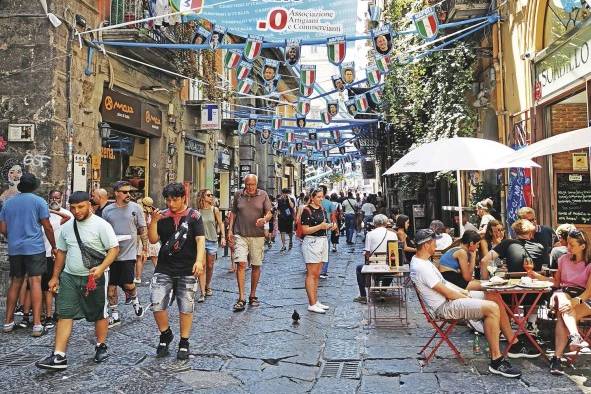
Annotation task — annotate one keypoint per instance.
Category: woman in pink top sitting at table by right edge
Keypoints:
(574, 299)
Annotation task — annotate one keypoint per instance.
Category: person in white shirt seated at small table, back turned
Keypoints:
(376, 242)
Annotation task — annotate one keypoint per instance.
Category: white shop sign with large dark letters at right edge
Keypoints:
(564, 65)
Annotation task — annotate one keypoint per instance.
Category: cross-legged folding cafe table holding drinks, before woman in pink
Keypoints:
(518, 295)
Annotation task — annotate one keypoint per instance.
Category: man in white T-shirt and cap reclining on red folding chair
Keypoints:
(447, 301)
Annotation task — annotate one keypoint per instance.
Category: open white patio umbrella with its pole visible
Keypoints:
(458, 154)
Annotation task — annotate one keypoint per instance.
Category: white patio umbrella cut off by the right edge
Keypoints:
(572, 140)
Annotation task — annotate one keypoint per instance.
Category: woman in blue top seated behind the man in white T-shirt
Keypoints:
(457, 264)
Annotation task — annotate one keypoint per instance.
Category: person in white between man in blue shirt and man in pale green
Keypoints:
(57, 217)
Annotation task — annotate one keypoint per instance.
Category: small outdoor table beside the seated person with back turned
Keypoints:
(398, 274)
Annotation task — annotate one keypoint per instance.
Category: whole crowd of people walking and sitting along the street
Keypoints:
(78, 259)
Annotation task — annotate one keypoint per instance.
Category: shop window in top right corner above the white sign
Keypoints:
(559, 22)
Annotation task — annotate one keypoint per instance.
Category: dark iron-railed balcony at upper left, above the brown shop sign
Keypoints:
(119, 11)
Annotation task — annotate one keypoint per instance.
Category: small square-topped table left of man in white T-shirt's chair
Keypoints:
(375, 273)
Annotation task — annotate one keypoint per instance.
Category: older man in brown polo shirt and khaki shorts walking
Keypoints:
(251, 209)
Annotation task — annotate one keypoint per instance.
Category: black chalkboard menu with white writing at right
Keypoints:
(573, 198)
